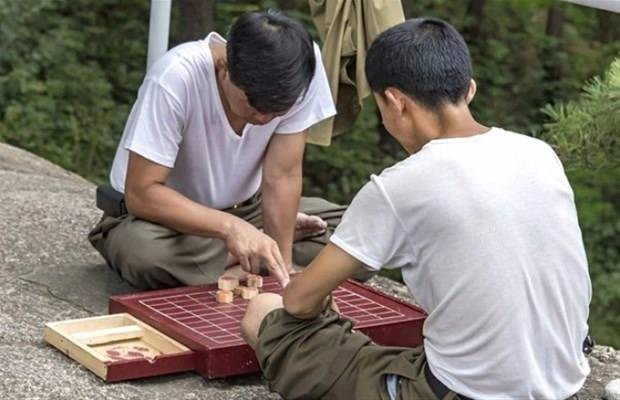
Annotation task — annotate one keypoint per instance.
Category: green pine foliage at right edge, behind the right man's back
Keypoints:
(586, 135)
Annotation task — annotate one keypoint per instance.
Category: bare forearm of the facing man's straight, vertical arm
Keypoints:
(280, 204)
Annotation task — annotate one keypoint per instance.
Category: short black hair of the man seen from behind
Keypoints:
(425, 58)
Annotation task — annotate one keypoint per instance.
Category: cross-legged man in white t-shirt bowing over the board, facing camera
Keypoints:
(210, 162)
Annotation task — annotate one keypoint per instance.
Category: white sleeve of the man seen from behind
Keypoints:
(371, 230)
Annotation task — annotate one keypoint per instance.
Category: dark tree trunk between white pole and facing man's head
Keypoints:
(196, 19)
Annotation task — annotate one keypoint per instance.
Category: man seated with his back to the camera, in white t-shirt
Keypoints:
(482, 222)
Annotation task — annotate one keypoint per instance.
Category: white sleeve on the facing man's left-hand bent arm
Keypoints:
(156, 124)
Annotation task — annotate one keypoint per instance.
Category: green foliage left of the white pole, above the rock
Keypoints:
(69, 70)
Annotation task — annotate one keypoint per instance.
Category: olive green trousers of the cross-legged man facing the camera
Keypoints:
(150, 256)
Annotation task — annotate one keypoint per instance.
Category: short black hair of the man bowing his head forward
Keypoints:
(271, 58)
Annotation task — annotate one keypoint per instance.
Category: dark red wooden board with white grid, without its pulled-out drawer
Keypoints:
(193, 317)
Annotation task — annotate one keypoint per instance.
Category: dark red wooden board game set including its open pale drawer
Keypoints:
(183, 329)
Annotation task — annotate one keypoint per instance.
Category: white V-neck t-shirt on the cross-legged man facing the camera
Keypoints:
(178, 121)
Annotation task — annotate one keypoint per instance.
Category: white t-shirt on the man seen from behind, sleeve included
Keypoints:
(486, 232)
